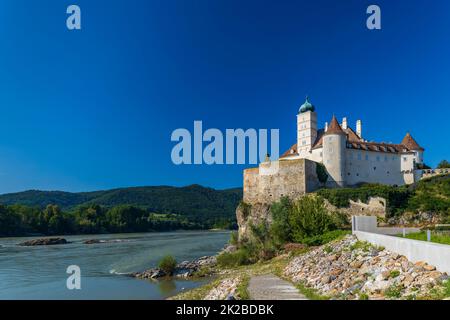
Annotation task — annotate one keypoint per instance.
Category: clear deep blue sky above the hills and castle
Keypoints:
(94, 109)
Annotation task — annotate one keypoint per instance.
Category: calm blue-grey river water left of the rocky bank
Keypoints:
(39, 272)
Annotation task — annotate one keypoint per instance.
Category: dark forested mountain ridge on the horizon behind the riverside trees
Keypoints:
(192, 201)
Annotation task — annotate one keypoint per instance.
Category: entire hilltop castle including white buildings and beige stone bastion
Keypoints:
(347, 157)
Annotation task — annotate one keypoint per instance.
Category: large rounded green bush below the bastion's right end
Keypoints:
(309, 218)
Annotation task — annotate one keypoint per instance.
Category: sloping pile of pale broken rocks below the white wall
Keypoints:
(350, 269)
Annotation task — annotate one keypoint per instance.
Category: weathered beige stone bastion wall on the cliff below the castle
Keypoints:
(276, 179)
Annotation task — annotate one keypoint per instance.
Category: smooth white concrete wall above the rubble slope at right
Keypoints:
(434, 254)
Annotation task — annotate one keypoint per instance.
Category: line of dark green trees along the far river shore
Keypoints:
(20, 220)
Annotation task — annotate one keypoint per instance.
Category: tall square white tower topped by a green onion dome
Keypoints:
(306, 128)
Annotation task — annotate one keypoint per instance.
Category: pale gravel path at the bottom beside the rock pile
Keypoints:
(271, 287)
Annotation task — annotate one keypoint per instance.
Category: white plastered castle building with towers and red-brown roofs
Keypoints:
(348, 158)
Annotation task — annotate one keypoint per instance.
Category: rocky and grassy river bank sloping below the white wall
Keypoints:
(345, 269)
